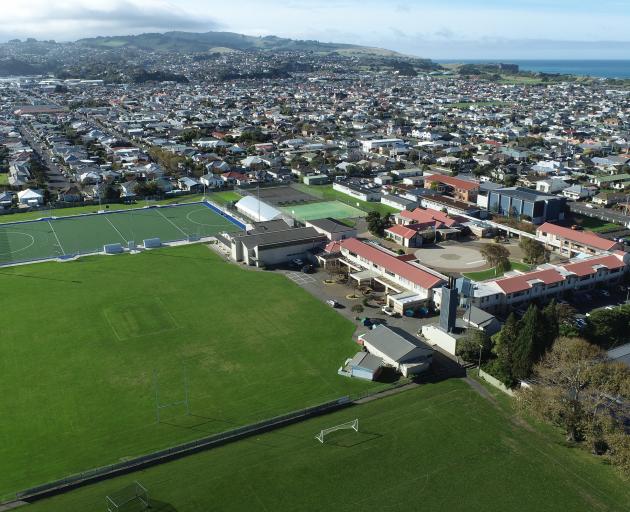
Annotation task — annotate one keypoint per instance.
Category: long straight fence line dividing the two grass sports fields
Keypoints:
(206, 443)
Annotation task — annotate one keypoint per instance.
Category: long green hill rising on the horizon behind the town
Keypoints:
(202, 42)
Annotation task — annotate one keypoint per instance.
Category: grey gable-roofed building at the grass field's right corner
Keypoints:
(398, 350)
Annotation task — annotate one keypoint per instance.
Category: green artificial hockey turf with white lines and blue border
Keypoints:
(84, 234)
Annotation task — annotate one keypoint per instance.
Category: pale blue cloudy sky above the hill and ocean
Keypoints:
(437, 29)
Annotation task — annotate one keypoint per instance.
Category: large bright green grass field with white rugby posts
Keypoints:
(80, 341)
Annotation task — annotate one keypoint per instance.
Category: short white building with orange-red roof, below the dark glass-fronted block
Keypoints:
(570, 242)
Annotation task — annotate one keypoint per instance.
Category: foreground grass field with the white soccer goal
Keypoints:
(440, 447)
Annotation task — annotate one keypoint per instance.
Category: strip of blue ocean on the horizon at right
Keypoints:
(596, 68)
